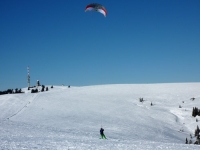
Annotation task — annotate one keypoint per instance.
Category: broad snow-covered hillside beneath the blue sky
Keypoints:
(70, 118)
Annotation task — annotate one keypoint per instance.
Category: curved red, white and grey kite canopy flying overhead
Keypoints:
(96, 7)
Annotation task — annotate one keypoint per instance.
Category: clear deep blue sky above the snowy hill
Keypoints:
(140, 41)
